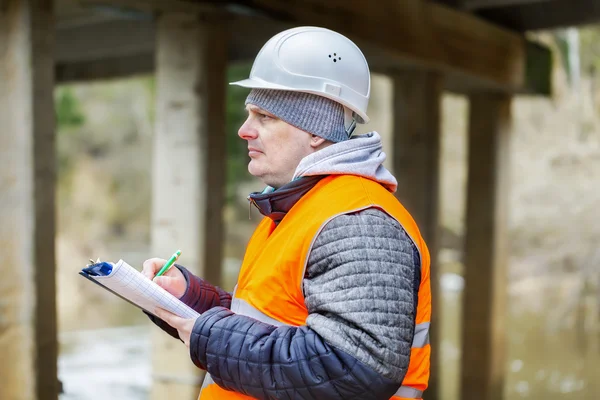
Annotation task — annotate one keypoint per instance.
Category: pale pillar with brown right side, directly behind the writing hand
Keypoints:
(188, 169)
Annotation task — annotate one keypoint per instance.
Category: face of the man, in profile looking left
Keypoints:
(274, 146)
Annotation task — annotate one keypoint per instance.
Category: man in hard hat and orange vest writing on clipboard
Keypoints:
(332, 299)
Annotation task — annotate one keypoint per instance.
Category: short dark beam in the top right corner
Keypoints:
(549, 15)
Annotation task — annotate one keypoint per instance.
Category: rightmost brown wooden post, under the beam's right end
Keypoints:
(483, 338)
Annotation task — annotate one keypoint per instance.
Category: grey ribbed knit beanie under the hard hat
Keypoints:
(311, 113)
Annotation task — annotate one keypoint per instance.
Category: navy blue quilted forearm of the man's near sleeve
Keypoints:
(268, 362)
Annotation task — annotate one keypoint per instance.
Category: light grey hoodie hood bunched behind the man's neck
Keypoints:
(361, 155)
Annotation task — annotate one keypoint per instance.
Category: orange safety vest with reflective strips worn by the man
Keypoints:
(269, 286)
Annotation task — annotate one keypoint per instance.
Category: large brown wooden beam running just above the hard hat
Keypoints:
(473, 54)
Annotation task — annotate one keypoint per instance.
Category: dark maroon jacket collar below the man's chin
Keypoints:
(275, 203)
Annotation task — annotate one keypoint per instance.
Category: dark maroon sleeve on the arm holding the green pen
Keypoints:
(199, 295)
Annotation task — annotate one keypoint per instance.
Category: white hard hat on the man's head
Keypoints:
(314, 60)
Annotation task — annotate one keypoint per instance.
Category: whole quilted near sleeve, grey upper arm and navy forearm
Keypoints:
(361, 273)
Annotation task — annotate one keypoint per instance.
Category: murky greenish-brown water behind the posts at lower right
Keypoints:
(550, 355)
